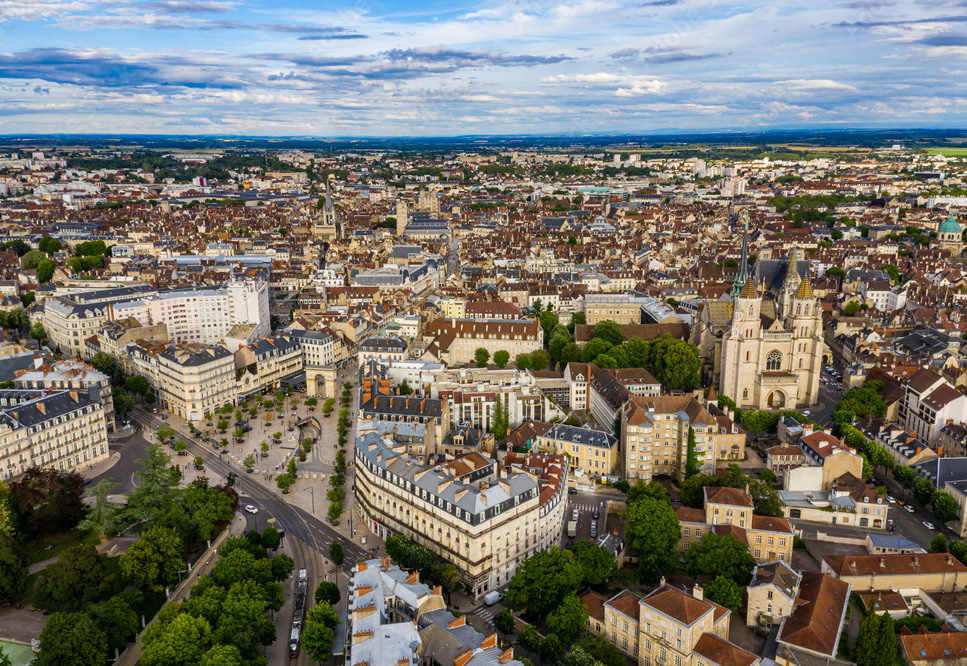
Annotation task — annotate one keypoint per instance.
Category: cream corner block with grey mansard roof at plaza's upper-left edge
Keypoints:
(196, 380)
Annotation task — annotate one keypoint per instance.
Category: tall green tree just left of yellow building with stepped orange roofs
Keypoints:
(653, 530)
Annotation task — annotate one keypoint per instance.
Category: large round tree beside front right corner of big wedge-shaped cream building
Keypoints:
(543, 580)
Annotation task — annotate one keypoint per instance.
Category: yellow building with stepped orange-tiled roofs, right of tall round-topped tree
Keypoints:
(730, 511)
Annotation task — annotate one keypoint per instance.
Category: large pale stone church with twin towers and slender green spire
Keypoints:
(762, 345)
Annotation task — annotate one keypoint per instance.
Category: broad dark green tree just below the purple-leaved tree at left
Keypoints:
(75, 581)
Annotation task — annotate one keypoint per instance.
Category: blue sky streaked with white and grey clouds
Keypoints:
(404, 69)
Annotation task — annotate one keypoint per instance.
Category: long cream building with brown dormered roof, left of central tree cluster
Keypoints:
(455, 341)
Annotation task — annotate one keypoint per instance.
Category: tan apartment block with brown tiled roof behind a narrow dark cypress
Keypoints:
(654, 436)
